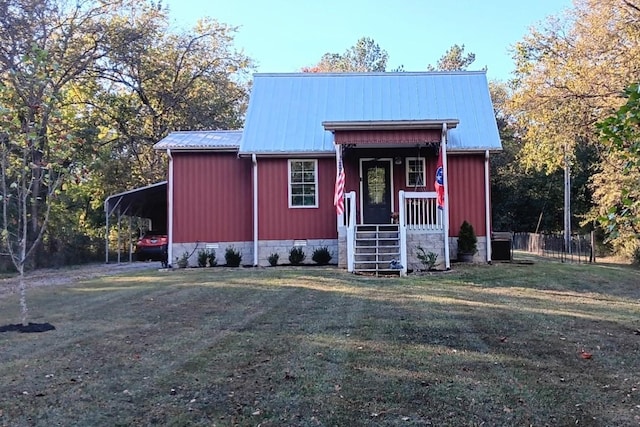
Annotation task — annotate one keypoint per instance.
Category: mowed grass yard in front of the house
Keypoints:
(500, 345)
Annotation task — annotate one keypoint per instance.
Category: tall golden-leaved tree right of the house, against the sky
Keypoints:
(569, 75)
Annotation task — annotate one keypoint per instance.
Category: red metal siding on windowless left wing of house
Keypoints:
(212, 198)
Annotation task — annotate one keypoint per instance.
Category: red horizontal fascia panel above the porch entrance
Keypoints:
(409, 136)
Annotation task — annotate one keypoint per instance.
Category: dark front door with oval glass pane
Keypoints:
(376, 192)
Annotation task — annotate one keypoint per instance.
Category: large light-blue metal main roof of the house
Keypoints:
(286, 111)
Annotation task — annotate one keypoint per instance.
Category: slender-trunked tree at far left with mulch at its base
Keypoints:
(44, 46)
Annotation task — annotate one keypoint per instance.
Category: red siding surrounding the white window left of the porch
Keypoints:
(279, 222)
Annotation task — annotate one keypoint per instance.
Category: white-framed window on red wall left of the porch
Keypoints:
(303, 183)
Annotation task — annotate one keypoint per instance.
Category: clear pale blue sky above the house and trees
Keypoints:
(286, 35)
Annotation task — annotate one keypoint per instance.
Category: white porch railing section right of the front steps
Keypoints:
(419, 211)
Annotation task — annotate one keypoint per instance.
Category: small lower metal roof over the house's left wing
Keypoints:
(221, 140)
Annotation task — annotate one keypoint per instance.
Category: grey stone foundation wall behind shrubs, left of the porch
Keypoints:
(265, 249)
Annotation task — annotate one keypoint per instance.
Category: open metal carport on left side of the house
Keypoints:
(149, 203)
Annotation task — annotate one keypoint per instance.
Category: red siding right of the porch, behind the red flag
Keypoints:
(466, 192)
